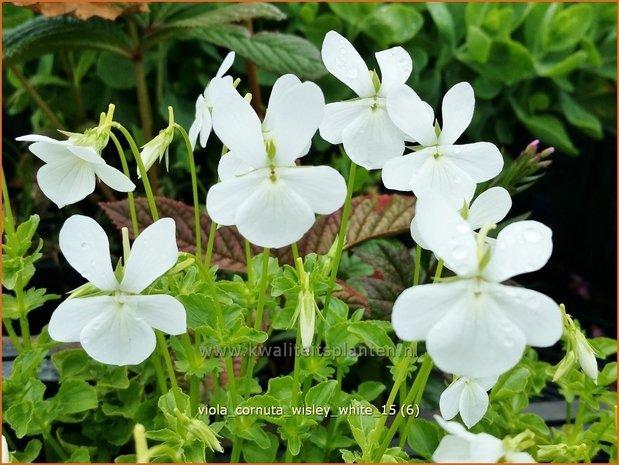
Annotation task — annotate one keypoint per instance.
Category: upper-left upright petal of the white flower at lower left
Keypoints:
(86, 247)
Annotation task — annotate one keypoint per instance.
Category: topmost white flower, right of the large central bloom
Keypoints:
(369, 136)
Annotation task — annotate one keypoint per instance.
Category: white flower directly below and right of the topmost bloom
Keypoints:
(439, 165)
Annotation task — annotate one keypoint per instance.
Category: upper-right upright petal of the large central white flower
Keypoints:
(293, 118)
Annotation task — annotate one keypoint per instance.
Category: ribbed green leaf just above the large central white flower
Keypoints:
(272, 51)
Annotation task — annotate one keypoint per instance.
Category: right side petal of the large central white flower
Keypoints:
(322, 187)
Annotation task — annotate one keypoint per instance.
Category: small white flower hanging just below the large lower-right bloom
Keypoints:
(468, 397)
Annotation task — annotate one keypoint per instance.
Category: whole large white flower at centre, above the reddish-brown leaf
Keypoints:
(270, 199)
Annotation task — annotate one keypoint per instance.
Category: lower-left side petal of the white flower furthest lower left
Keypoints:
(72, 315)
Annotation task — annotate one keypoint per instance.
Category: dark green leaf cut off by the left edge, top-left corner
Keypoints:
(47, 35)
